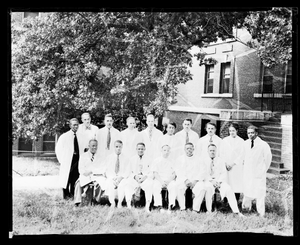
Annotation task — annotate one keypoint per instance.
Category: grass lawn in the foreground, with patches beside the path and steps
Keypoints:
(45, 212)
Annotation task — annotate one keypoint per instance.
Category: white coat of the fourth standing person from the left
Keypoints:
(130, 138)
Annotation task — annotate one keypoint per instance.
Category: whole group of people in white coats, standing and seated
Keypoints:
(123, 163)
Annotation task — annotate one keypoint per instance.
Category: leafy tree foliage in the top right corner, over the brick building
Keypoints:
(272, 35)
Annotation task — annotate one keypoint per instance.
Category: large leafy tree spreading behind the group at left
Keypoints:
(123, 63)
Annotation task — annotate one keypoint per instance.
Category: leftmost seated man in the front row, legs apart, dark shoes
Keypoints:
(86, 167)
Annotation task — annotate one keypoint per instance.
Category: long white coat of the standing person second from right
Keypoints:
(232, 152)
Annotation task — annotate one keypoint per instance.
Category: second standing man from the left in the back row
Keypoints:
(87, 131)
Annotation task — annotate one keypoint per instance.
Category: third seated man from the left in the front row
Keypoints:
(140, 177)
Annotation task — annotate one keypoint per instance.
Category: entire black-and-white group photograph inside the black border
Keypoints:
(153, 121)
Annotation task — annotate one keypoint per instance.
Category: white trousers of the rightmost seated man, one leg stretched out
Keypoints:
(225, 191)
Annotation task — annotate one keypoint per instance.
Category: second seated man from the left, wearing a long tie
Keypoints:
(117, 171)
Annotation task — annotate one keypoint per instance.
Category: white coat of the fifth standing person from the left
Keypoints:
(152, 150)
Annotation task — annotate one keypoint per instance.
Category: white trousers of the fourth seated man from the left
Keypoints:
(157, 188)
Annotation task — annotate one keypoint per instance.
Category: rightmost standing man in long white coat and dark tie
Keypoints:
(257, 161)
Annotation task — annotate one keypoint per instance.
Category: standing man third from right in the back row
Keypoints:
(208, 139)
